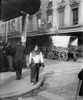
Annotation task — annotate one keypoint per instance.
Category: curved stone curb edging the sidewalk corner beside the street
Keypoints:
(22, 92)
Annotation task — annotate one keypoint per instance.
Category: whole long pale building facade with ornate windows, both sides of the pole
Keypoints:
(55, 17)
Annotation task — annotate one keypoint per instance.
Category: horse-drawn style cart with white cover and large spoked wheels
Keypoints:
(63, 48)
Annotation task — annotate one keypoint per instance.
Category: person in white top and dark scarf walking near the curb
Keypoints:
(35, 61)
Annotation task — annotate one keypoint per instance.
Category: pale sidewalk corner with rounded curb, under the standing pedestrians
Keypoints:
(17, 87)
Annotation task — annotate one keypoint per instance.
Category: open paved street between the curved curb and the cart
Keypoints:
(60, 82)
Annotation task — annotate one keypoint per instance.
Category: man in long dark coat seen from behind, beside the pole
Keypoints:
(18, 60)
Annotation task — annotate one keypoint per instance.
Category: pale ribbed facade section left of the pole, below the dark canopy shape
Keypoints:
(11, 26)
